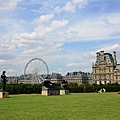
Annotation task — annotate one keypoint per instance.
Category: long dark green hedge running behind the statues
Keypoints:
(73, 87)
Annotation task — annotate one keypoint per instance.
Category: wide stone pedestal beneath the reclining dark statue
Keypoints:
(49, 92)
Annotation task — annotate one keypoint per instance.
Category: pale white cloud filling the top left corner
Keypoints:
(8, 5)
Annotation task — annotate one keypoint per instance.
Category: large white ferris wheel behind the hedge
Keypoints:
(36, 70)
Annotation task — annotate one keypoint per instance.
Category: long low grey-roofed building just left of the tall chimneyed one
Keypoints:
(78, 77)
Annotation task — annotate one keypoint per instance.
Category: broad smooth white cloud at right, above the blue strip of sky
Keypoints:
(93, 29)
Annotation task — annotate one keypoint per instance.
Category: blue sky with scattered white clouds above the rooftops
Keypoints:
(66, 34)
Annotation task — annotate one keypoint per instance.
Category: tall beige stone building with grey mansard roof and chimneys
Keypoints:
(106, 70)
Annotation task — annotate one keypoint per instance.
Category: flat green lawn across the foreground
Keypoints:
(77, 106)
